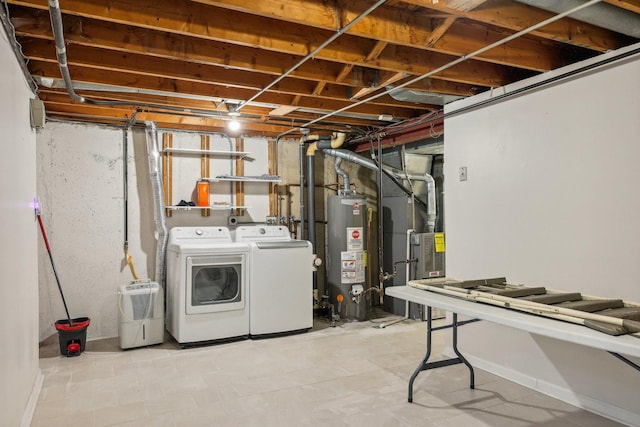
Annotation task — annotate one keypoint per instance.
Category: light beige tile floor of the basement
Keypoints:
(352, 375)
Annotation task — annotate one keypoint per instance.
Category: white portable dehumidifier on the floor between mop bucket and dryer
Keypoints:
(141, 309)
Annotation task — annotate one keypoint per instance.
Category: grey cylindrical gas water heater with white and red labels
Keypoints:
(346, 260)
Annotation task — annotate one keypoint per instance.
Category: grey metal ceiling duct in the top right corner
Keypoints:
(602, 14)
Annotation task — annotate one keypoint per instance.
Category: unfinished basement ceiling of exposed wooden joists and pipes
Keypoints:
(286, 64)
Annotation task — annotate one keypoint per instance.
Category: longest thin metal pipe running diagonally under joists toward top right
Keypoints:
(457, 61)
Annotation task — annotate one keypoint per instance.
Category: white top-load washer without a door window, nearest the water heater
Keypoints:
(281, 271)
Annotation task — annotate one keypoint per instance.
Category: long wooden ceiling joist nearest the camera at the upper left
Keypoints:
(207, 23)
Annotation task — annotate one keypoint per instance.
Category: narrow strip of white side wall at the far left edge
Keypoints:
(18, 244)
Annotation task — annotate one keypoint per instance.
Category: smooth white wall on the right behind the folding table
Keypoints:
(551, 199)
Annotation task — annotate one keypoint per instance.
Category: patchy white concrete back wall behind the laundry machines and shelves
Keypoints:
(80, 184)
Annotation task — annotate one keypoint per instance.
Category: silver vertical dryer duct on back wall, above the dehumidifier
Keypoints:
(158, 208)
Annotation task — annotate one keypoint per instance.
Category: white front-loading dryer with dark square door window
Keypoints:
(207, 291)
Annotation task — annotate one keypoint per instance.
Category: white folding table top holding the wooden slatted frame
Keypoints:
(625, 344)
